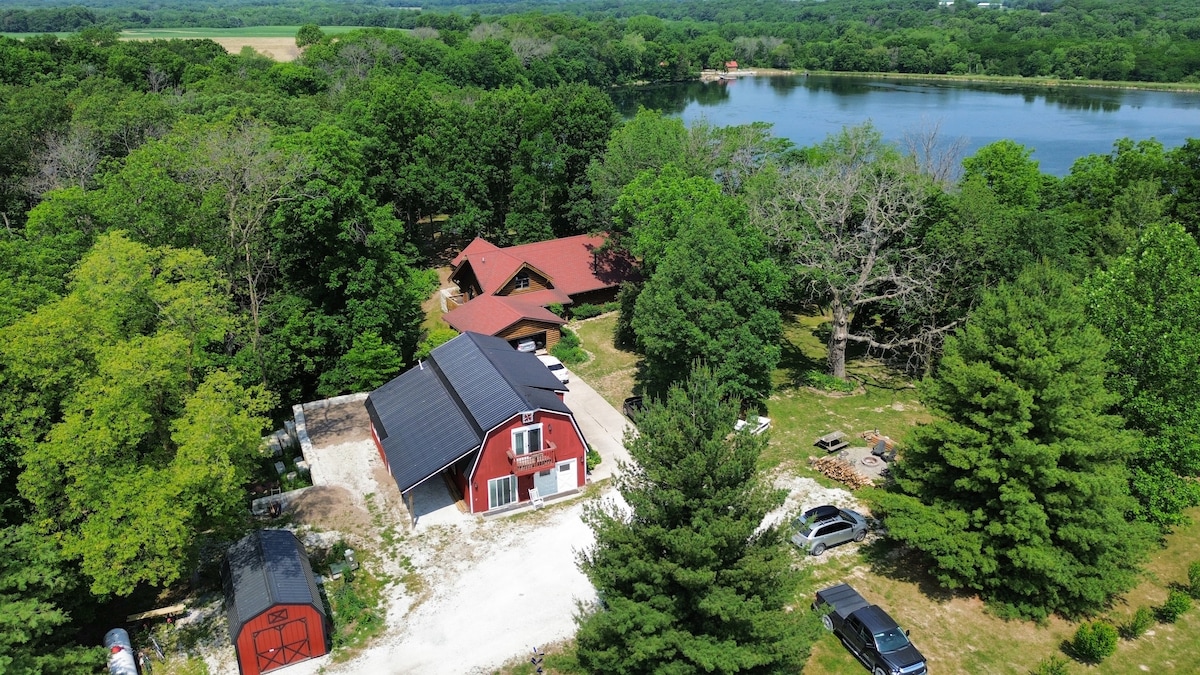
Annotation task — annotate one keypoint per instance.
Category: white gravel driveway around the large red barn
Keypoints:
(490, 589)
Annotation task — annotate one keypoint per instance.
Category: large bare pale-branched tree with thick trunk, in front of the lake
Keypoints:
(845, 225)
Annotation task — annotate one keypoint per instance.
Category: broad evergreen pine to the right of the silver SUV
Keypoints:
(1019, 488)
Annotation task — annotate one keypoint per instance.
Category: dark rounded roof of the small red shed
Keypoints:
(263, 570)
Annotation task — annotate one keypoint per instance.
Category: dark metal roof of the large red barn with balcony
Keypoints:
(440, 411)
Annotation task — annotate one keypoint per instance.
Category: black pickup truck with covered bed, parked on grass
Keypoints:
(869, 634)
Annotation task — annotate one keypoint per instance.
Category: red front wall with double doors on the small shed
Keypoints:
(281, 636)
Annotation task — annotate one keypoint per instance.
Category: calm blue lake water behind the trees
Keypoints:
(1060, 124)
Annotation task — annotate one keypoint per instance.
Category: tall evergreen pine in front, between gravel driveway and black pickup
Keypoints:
(689, 580)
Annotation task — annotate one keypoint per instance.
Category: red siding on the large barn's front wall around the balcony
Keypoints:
(494, 463)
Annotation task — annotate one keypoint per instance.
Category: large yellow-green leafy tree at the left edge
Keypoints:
(133, 441)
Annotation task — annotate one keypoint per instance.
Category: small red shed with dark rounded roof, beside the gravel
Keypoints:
(274, 607)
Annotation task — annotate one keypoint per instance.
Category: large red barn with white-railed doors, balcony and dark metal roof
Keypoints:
(490, 419)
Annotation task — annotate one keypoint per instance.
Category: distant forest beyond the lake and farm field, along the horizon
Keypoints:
(650, 40)
